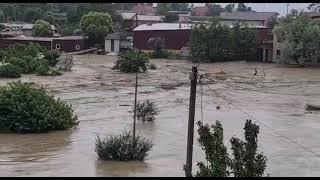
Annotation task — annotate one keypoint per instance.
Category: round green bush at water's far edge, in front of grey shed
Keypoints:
(132, 61)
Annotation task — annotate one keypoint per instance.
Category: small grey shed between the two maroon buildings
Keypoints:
(118, 41)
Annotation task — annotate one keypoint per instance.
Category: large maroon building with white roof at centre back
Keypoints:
(175, 35)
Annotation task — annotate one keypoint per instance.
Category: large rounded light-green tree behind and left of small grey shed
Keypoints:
(96, 25)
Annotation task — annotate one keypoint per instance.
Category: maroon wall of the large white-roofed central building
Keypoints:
(174, 39)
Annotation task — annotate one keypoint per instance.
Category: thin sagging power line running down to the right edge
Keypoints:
(290, 140)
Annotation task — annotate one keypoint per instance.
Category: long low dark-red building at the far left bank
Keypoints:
(65, 44)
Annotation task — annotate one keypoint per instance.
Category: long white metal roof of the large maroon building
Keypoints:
(162, 26)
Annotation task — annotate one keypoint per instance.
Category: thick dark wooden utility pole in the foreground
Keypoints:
(193, 90)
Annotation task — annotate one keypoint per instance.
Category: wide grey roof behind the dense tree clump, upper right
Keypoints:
(258, 16)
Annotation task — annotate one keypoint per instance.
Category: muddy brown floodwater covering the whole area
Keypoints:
(103, 98)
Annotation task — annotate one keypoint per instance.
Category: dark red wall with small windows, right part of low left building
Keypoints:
(70, 45)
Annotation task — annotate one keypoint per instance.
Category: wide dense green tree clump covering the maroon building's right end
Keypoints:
(218, 42)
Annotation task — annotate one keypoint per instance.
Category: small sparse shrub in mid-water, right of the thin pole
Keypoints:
(147, 111)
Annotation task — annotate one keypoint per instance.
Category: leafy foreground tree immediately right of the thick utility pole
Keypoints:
(211, 142)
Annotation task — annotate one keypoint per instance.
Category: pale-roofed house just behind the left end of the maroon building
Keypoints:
(132, 20)
